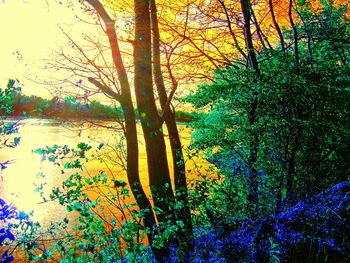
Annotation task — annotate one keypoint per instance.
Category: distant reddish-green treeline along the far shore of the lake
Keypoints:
(69, 107)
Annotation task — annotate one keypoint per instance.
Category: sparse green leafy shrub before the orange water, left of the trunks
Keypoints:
(108, 224)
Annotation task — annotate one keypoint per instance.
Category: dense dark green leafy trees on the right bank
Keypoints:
(302, 119)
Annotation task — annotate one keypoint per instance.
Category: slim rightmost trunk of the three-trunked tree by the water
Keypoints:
(169, 116)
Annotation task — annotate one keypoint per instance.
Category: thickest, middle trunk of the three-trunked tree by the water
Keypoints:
(158, 169)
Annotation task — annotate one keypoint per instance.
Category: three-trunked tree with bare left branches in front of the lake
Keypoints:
(113, 81)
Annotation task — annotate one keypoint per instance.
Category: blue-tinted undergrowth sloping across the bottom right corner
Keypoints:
(316, 228)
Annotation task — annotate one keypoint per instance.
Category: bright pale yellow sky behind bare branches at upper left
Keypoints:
(29, 33)
